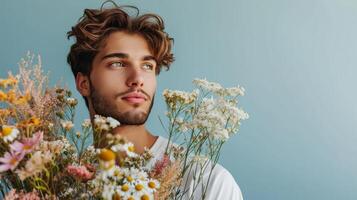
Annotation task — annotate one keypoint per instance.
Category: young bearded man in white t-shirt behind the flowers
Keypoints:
(115, 60)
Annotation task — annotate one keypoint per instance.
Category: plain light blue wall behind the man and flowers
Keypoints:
(296, 59)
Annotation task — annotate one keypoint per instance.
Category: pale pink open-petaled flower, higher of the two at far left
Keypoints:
(28, 144)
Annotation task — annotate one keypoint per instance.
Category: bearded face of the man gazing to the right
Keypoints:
(123, 79)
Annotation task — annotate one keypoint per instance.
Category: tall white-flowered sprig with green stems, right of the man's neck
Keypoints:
(204, 120)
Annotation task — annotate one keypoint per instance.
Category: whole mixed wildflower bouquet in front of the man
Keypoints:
(43, 156)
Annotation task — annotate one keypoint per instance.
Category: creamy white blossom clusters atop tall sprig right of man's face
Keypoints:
(219, 117)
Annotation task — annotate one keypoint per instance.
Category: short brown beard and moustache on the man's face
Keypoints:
(107, 107)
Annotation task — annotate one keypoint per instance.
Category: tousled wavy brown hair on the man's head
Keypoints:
(96, 25)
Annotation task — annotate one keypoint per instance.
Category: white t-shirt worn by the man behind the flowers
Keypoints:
(222, 185)
